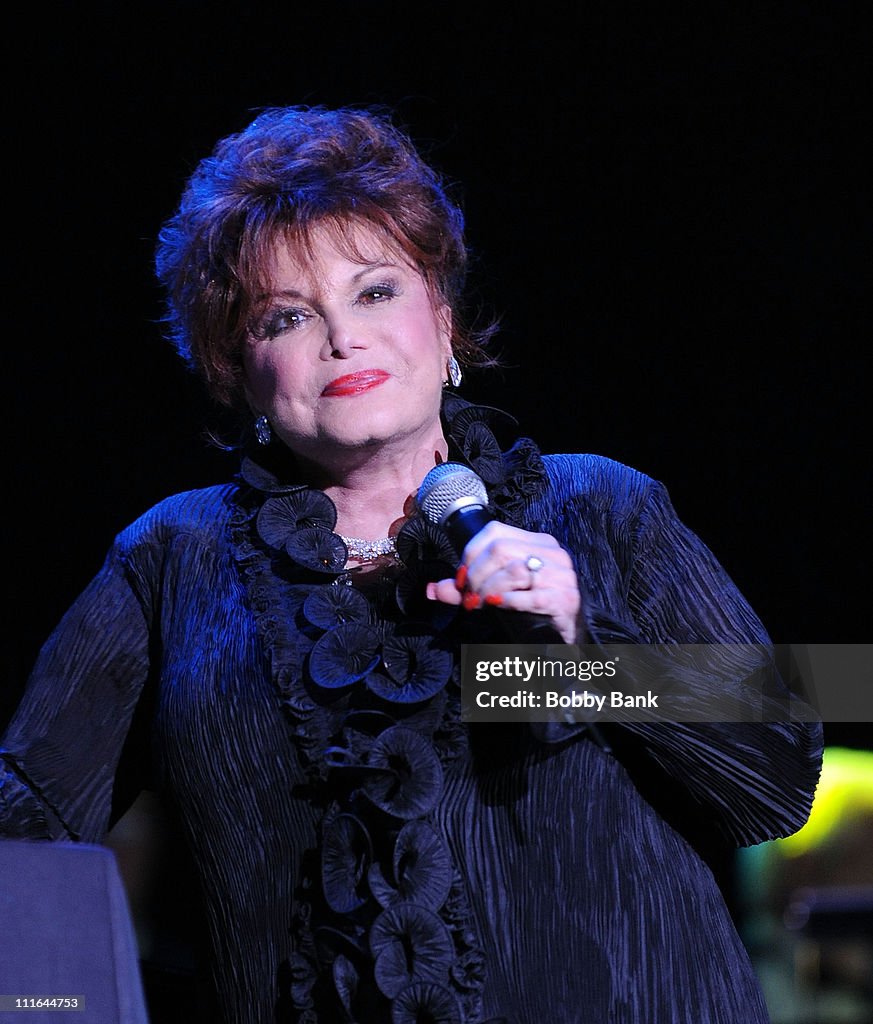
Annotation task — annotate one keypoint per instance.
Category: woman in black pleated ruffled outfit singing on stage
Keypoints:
(289, 646)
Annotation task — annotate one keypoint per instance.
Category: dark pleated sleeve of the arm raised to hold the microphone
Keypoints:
(751, 782)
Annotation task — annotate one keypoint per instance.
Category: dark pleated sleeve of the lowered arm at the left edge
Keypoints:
(63, 746)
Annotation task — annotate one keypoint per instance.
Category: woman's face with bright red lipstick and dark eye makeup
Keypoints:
(348, 355)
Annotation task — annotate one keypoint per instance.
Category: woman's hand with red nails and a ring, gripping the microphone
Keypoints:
(513, 569)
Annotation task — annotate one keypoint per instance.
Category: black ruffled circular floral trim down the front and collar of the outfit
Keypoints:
(371, 686)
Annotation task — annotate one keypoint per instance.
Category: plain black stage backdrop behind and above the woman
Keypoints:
(667, 207)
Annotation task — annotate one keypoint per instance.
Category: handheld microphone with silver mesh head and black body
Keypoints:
(454, 498)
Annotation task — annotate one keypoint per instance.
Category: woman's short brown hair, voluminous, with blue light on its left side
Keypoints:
(290, 170)
